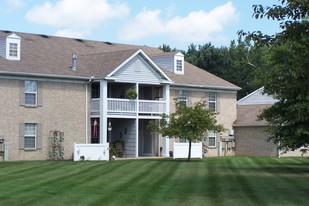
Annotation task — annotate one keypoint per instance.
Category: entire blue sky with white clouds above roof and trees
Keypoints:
(177, 23)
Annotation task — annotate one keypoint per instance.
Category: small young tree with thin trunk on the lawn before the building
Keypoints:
(190, 123)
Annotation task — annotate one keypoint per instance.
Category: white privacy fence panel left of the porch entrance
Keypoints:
(91, 152)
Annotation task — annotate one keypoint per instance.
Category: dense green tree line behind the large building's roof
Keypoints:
(240, 63)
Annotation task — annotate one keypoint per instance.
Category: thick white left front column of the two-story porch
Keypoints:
(103, 111)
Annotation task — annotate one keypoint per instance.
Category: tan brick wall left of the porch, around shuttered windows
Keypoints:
(63, 108)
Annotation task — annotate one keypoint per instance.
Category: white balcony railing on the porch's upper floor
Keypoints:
(130, 107)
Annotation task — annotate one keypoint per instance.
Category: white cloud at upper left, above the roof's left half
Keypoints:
(72, 16)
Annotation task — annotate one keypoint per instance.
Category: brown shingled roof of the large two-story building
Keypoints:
(50, 55)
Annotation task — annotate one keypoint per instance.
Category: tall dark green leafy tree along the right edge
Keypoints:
(287, 77)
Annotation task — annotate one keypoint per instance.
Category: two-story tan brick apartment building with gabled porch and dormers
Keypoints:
(78, 87)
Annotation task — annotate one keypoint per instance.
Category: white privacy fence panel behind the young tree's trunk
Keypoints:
(181, 150)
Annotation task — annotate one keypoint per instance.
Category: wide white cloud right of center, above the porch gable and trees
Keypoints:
(197, 26)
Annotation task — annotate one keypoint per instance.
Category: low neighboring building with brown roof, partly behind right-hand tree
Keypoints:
(251, 139)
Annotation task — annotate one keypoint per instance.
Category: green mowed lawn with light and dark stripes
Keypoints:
(211, 181)
